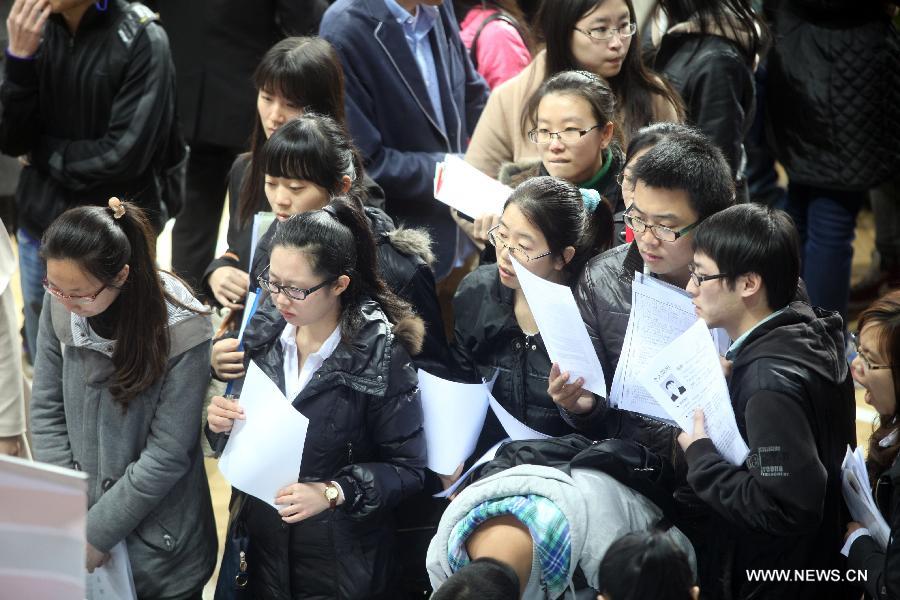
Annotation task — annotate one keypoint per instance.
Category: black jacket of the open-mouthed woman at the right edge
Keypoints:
(883, 582)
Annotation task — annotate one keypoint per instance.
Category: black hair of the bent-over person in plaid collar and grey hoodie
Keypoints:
(481, 579)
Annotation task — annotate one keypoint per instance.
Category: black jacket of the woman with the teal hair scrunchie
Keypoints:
(488, 338)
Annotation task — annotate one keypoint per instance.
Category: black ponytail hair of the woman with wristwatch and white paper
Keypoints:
(338, 241)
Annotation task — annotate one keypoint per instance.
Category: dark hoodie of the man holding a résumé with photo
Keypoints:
(782, 509)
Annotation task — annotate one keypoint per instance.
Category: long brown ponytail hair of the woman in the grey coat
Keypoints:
(102, 245)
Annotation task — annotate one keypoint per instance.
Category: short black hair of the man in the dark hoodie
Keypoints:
(751, 238)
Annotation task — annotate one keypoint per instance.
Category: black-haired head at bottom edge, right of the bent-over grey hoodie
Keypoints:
(645, 565)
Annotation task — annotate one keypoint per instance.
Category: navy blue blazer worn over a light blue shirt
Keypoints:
(390, 115)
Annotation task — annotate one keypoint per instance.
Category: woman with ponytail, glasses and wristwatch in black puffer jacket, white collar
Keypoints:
(338, 343)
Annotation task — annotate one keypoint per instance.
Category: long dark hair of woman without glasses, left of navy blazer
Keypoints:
(306, 71)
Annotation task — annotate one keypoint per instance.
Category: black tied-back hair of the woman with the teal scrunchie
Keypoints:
(557, 208)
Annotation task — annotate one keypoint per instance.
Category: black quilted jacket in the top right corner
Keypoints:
(833, 93)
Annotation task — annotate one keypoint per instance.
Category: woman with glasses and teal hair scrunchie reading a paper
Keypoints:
(548, 229)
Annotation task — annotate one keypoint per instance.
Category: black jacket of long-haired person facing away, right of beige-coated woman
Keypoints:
(713, 72)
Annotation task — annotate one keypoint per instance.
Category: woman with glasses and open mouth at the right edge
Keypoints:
(876, 369)
